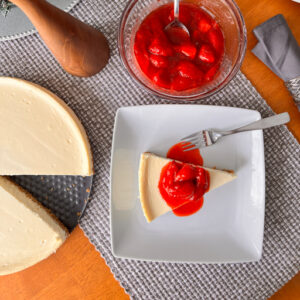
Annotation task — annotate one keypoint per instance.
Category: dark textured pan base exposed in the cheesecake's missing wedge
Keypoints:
(65, 196)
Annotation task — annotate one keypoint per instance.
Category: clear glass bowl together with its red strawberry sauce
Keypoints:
(177, 66)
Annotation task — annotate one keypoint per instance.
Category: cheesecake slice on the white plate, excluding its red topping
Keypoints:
(150, 169)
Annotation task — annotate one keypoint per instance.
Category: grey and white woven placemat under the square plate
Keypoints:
(95, 100)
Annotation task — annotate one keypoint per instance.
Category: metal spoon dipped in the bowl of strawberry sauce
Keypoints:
(176, 30)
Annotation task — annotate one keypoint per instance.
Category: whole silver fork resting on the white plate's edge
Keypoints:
(206, 138)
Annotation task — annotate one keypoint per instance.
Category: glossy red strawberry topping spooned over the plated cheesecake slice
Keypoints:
(181, 184)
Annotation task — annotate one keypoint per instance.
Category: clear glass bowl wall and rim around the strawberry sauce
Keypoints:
(225, 12)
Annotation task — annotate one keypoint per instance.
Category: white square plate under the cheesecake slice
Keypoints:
(229, 227)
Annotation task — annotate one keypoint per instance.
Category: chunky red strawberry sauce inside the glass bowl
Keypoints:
(176, 61)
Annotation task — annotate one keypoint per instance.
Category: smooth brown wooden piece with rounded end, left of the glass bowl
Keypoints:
(79, 48)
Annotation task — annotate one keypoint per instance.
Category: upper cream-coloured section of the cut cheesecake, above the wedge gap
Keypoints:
(39, 133)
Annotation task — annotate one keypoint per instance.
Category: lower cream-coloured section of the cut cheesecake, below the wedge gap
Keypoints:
(28, 232)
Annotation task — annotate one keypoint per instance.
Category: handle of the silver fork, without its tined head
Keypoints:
(263, 123)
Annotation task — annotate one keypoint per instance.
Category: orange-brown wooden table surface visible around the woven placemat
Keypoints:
(77, 271)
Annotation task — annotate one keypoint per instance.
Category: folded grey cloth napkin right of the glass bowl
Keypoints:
(279, 50)
